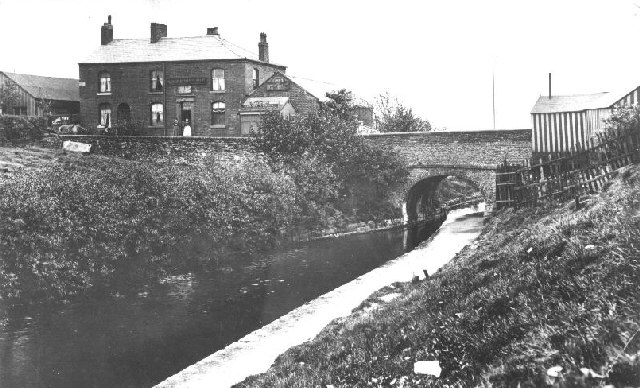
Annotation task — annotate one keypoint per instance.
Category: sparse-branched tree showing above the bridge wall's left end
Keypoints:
(393, 116)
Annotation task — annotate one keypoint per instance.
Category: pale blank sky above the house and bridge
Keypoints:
(436, 56)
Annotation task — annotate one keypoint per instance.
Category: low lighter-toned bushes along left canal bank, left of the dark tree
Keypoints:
(83, 226)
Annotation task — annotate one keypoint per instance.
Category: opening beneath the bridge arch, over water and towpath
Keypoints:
(428, 193)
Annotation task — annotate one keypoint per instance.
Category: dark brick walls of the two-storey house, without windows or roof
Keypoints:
(131, 84)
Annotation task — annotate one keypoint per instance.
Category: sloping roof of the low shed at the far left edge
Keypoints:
(63, 89)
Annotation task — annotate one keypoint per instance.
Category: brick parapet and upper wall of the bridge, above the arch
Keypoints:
(458, 148)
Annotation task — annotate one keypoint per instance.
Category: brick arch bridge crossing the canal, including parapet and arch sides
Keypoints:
(470, 155)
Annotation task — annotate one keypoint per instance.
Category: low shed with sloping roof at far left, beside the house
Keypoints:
(40, 96)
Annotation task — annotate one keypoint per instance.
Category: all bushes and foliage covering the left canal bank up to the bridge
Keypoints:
(69, 224)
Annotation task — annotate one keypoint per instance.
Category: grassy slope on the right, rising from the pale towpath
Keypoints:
(541, 288)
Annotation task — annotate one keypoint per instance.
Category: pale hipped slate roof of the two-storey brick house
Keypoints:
(169, 49)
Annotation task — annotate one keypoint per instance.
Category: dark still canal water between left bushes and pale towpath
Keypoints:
(140, 339)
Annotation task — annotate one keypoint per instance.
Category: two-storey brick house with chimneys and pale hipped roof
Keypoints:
(155, 81)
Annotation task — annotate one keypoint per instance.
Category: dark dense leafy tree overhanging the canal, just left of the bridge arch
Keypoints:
(336, 170)
